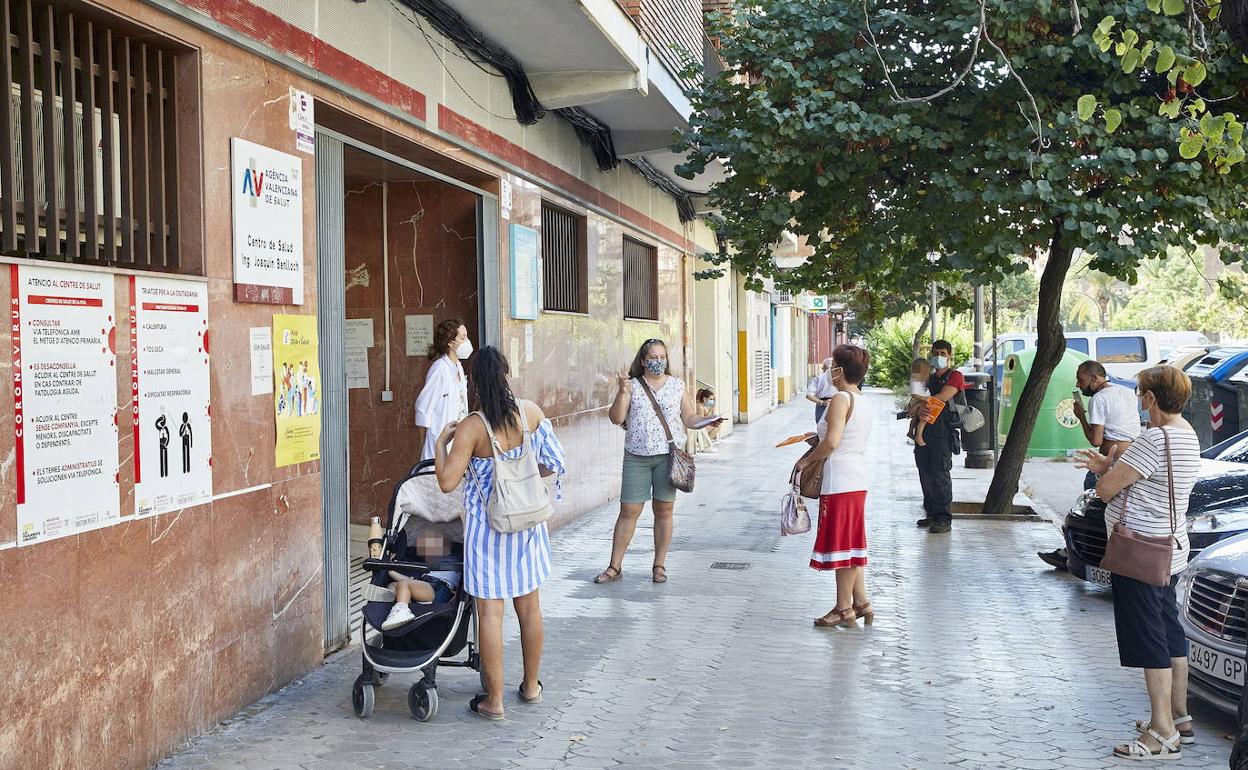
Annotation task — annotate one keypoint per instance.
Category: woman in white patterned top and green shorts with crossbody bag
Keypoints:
(647, 452)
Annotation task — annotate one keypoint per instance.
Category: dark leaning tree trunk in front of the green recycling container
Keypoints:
(1050, 349)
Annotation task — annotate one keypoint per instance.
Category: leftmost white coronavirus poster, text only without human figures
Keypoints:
(66, 402)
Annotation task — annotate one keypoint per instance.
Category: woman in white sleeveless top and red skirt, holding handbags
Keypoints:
(843, 439)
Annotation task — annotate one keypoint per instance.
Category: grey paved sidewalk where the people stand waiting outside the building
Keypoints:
(980, 657)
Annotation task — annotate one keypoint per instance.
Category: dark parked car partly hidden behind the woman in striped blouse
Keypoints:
(1219, 510)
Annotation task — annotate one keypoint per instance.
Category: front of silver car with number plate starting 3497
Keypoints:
(1212, 597)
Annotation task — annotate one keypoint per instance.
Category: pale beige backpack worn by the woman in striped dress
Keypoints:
(520, 499)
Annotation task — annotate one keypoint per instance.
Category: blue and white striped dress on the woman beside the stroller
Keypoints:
(502, 566)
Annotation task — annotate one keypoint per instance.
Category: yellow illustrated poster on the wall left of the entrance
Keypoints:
(296, 390)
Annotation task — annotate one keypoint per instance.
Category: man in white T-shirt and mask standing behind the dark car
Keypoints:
(1113, 420)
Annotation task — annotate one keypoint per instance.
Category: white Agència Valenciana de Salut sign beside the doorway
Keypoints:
(268, 194)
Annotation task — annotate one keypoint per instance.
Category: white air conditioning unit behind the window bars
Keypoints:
(59, 139)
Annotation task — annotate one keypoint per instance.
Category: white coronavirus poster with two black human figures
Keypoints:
(170, 395)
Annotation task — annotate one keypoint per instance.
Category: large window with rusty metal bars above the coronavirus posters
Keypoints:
(90, 138)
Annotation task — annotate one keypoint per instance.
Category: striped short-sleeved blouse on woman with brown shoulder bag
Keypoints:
(1148, 501)
